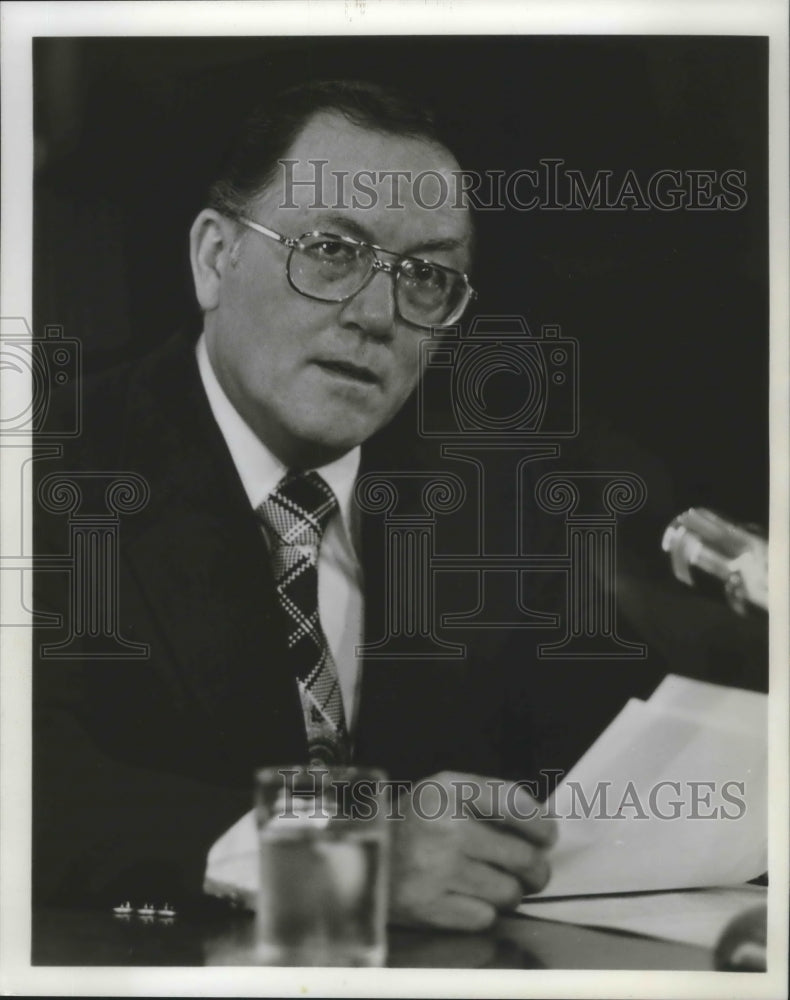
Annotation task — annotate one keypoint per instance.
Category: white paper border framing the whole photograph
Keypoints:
(21, 22)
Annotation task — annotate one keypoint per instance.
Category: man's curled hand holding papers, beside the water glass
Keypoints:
(456, 871)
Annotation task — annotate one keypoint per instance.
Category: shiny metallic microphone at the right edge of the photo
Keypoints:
(704, 545)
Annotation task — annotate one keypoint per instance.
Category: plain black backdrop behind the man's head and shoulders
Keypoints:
(671, 309)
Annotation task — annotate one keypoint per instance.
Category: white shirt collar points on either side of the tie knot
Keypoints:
(260, 471)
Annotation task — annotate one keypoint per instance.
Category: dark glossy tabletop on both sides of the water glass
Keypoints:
(63, 936)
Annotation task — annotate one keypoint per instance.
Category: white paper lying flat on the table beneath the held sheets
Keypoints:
(696, 916)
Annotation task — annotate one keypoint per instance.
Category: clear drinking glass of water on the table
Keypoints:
(324, 860)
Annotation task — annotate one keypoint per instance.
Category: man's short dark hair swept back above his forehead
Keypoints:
(251, 162)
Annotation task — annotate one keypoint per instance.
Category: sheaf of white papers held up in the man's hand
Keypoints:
(673, 795)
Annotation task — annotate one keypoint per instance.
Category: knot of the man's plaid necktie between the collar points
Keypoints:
(298, 510)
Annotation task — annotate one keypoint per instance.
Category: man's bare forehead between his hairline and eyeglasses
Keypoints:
(374, 185)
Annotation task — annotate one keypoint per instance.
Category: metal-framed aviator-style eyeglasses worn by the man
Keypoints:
(333, 268)
